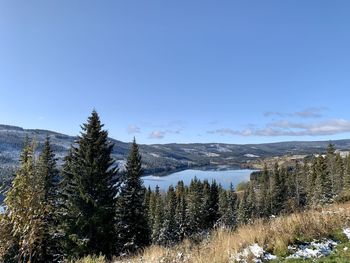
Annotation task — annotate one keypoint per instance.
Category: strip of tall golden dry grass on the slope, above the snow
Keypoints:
(274, 235)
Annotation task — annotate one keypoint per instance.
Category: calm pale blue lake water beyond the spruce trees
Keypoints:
(223, 177)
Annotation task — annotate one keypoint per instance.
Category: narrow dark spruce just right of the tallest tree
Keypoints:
(132, 223)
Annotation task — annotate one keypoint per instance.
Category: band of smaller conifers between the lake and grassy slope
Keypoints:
(192, 211)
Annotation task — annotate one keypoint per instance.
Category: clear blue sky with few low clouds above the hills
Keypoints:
(178, 71)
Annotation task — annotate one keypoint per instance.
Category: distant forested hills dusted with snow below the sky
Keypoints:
(162, 158)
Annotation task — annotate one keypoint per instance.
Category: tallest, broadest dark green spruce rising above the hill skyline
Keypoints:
(89, 192)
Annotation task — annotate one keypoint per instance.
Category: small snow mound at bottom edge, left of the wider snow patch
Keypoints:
(255, 251)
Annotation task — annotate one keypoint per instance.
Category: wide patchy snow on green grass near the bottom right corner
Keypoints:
(315, 249)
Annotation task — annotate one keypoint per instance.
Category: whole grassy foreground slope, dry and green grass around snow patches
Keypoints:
(273, 236)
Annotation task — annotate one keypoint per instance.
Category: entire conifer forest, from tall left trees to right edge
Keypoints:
(90, 208)
